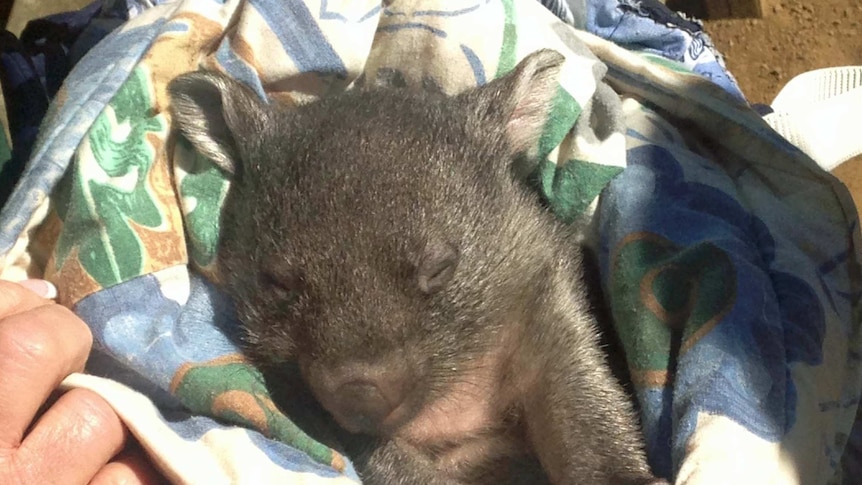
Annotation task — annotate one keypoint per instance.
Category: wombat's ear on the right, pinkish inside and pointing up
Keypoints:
(523, 98)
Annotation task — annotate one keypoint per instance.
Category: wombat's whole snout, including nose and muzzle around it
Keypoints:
(361, 396)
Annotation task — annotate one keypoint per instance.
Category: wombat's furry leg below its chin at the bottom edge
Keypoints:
(397, 463)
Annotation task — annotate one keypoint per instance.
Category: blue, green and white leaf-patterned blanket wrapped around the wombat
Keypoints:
(729, 259)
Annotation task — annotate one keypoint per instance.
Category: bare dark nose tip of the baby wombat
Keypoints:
(361, 406)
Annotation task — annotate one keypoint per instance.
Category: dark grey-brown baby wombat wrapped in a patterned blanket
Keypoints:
(379, 239)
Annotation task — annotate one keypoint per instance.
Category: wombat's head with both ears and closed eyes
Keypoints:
(377, 237)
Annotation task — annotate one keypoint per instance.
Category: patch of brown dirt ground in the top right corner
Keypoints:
(793, 37)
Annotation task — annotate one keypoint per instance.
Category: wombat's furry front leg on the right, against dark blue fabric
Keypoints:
(578, 419)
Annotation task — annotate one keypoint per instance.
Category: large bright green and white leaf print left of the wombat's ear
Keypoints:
(107, 189)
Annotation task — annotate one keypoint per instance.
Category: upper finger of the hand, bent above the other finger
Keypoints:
(38, 348)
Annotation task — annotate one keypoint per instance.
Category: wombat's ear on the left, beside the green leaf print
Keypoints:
(216, 114)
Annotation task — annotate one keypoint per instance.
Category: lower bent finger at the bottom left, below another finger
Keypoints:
(72, 441)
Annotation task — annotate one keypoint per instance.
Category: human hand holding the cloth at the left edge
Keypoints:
(72, 438)
